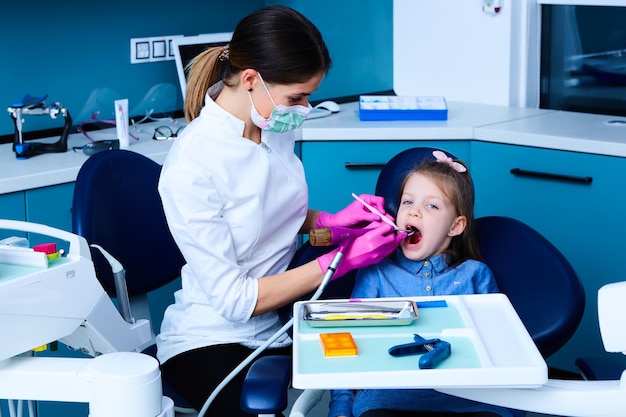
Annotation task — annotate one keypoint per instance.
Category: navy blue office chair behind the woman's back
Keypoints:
(116, 205)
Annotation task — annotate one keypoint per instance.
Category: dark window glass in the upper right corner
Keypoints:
(583, 59)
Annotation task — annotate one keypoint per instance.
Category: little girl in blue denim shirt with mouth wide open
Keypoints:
(440, 257)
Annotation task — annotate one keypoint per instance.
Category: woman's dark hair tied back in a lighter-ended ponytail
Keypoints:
(277, 41)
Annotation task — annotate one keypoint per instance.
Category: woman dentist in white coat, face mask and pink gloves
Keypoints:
(235, 198)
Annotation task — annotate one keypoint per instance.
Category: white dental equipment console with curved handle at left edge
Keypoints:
(61, 299)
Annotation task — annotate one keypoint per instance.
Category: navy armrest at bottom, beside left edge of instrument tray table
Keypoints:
(266, 385)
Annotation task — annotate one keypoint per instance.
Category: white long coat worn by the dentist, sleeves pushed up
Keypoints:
(234, 208)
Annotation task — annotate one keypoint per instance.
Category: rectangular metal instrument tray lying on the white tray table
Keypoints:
(360, 313)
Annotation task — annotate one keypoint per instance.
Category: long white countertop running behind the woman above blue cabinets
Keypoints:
(577, 132)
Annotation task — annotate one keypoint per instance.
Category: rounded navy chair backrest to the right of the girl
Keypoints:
(540, 282)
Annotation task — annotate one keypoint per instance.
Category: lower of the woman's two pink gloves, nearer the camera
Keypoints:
(367, 249)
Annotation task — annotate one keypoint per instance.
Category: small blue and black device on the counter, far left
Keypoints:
(36, 106)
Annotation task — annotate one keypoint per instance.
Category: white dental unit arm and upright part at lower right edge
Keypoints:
(573, 398)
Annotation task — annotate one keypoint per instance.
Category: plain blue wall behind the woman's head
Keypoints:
(73, 49)
